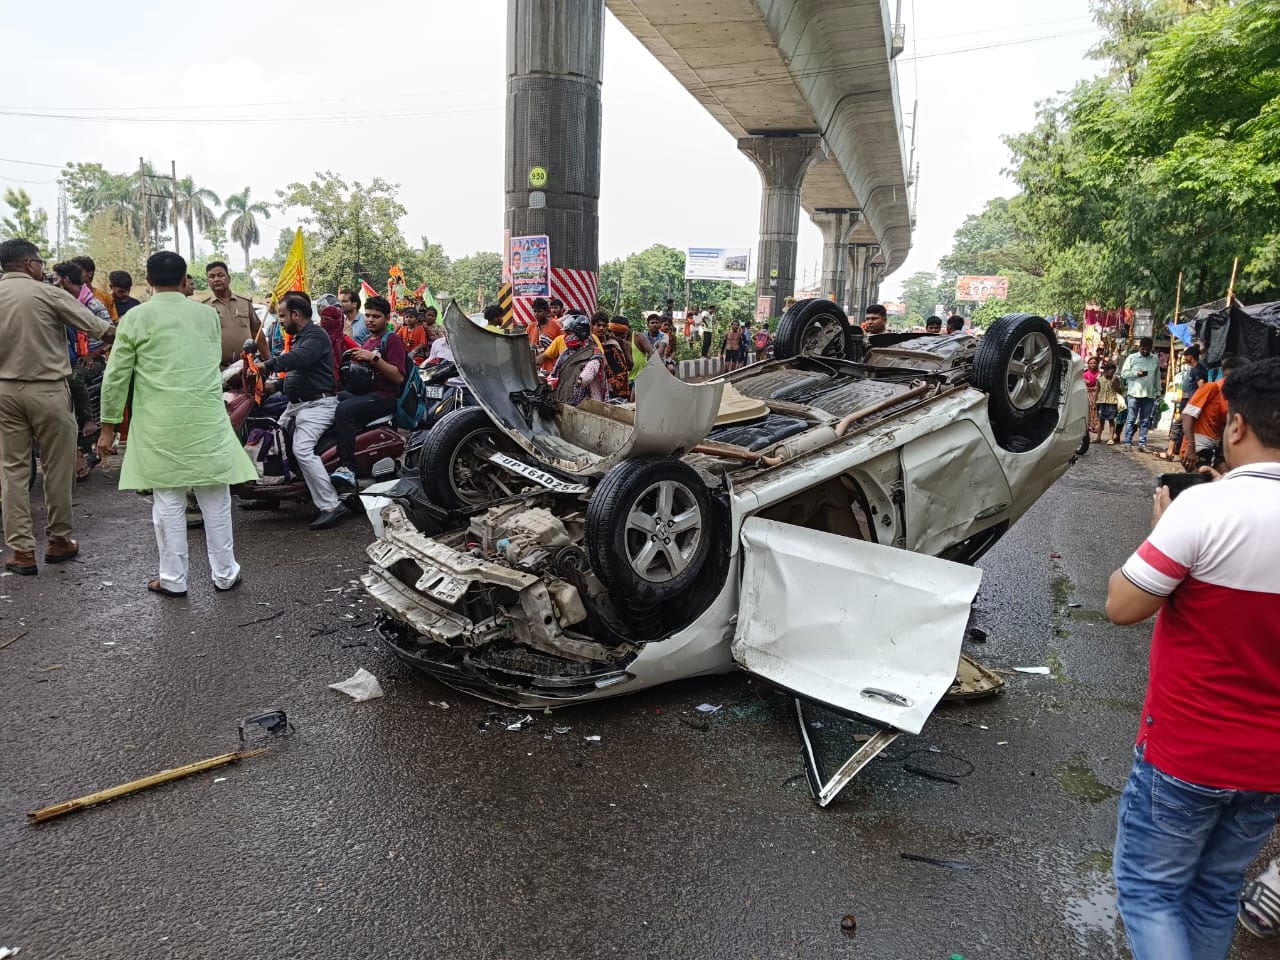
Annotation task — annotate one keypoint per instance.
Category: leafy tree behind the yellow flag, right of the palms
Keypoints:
(353, 232)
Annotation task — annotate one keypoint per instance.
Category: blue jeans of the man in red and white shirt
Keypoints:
(1181, 857)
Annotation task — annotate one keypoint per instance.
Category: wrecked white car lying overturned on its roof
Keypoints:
(811, 519)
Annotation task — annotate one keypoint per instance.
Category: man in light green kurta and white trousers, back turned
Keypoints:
(171, 350)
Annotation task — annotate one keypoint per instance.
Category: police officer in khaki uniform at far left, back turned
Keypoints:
(36, 403)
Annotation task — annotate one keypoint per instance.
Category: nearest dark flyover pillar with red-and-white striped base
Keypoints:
(555, 56)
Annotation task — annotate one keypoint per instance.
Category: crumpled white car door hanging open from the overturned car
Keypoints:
(867, 630)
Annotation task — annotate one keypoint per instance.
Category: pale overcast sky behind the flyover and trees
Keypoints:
(258, 95)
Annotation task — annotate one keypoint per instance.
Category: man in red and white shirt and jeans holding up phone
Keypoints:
(1205, 789)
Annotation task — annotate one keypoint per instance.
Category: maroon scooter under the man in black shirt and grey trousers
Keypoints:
(255, 408)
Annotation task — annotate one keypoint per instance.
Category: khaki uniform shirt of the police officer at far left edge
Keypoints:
(34, 322)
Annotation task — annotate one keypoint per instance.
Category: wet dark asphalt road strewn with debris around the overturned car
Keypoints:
(399, 829)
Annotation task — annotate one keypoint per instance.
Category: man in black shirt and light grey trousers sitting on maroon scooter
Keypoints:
(313, 403)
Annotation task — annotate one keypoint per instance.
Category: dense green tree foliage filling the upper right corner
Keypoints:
(1172, 164)
